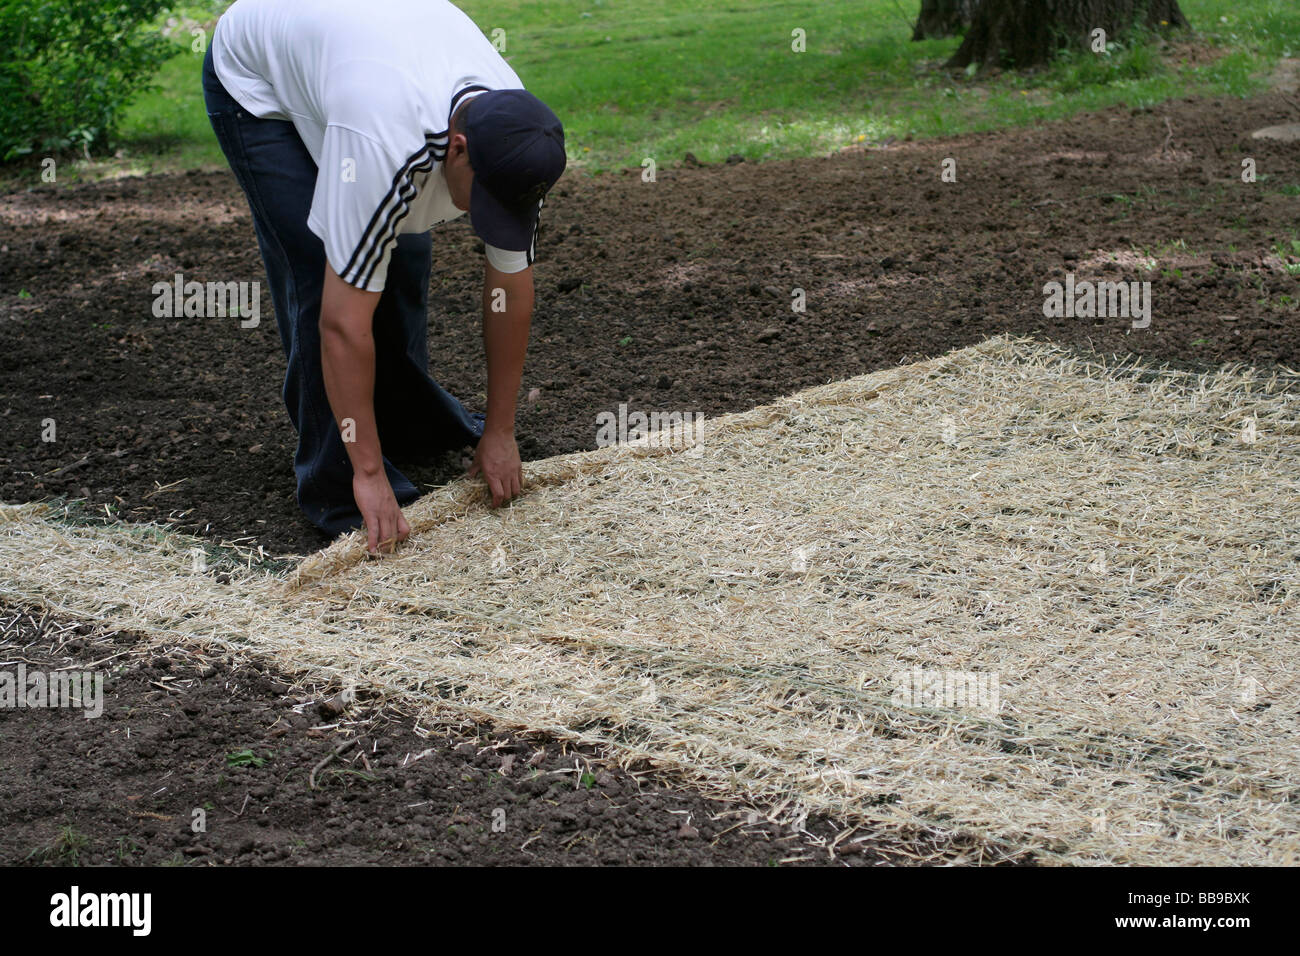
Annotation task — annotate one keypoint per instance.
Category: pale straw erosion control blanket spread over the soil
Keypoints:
(1011, 594)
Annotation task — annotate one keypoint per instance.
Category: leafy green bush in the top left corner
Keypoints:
(70, 67)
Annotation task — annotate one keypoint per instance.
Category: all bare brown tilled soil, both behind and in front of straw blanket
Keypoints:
(669, 296)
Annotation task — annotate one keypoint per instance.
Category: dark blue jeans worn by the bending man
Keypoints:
(415, 414)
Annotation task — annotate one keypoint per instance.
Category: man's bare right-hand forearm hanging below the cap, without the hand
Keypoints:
(508, 317)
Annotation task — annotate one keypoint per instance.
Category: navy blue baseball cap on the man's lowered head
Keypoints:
(517, 150)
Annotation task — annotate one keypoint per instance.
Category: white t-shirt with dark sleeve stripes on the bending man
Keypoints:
(370, 86)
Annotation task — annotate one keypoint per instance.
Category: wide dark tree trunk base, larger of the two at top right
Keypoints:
(1029, 33)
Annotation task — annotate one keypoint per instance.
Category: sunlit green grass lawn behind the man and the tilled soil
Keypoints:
(635, 81)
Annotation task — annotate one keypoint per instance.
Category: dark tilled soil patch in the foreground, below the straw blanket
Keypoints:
(201, 760)
